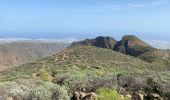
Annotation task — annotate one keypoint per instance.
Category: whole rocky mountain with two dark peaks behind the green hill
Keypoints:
(129, 45)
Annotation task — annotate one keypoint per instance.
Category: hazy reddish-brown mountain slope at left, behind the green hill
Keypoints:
(17, 53)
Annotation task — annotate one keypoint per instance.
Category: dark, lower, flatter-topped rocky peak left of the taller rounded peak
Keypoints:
(103, 42)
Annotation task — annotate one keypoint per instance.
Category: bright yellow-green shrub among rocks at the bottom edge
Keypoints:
(107, 94)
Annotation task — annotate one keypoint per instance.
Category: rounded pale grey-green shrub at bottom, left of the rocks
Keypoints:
(49, 91)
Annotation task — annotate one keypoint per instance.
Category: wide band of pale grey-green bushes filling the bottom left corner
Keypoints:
(38, 90)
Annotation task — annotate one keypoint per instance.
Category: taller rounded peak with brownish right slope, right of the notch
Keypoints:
(131, 45)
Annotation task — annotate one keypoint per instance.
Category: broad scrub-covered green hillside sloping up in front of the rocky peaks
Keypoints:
(90, 68)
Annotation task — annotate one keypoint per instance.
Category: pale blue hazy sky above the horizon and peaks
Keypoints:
(148, 19)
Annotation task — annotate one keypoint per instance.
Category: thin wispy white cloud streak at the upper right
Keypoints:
(125, 5)
